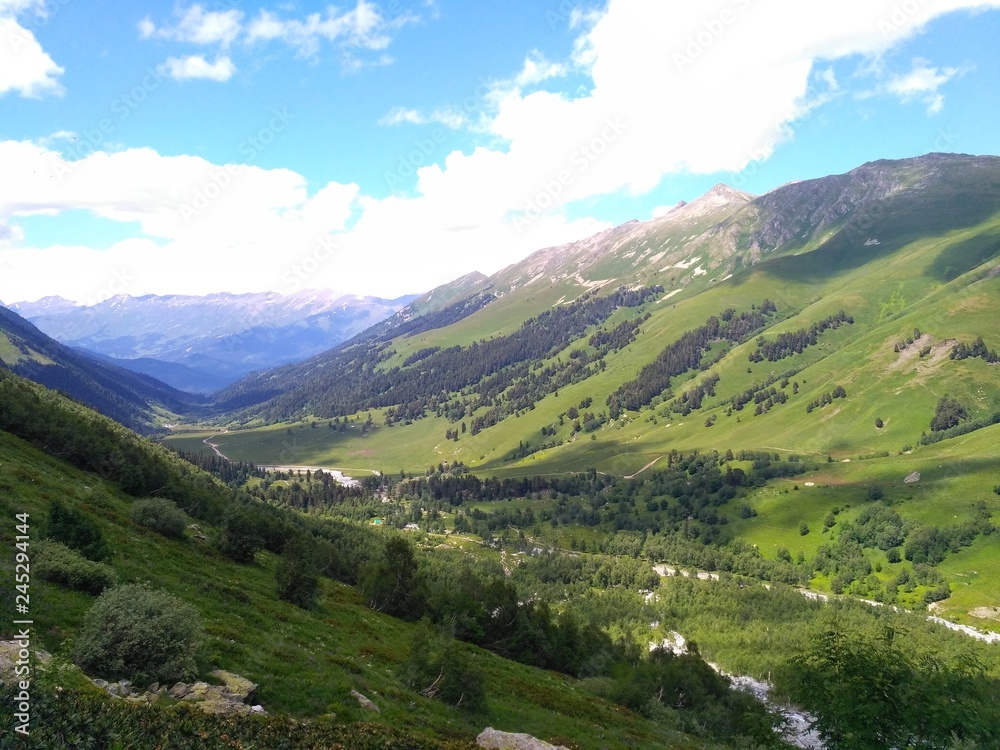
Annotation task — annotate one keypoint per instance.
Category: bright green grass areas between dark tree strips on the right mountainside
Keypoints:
(943, 283)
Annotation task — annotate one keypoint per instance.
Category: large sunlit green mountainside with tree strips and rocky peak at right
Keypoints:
(880, 288)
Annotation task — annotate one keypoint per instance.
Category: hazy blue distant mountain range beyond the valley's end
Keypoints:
(207, 342)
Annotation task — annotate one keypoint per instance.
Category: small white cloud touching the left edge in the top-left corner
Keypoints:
(24, 66)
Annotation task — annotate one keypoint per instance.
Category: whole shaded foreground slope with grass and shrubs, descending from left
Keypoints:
(306, 662)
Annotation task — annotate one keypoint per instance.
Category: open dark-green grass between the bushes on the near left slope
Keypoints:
(306, 663)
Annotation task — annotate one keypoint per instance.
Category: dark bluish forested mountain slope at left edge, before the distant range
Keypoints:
(127, 397)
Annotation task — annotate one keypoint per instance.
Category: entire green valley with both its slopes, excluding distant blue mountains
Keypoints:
(796, 393)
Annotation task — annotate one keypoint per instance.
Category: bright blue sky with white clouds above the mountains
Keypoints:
(384, 148)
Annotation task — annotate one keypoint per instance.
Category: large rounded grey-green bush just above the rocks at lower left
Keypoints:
(142, 634)
